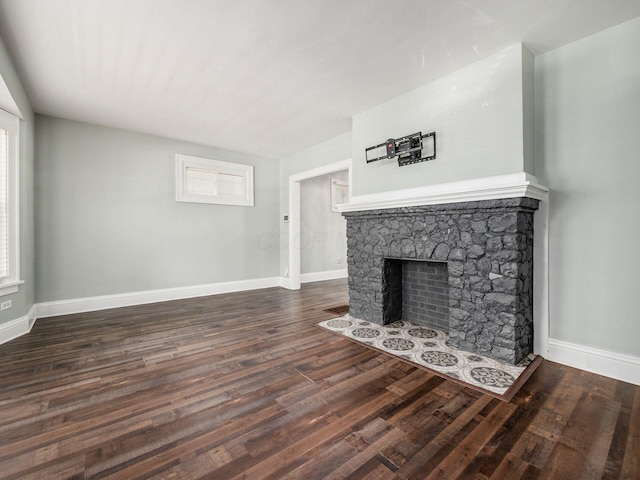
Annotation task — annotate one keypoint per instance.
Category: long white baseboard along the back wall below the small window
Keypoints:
(90, 304)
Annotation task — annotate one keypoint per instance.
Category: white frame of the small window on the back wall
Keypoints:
(215, 167)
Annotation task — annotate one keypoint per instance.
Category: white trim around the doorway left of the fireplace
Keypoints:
(294, 214)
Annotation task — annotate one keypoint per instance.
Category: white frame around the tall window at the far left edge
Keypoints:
(11, 283)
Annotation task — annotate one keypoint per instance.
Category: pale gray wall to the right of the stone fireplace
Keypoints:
(588, 144)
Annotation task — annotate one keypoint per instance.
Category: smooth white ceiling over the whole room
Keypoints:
(269, 77)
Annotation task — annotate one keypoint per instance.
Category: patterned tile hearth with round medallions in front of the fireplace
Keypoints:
(428, 348)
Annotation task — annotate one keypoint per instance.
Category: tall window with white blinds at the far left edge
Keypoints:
(9, 239)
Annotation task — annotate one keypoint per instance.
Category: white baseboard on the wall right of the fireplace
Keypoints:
(603, 362)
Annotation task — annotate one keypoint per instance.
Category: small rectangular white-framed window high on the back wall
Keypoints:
(202, 180)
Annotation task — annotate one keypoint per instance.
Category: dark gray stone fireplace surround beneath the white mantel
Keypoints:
(488, 249)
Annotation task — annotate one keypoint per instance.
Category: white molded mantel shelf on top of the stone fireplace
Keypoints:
(513, 185)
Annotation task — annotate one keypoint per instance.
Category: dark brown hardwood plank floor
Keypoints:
(243, 386)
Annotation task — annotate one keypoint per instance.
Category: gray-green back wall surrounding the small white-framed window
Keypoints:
(108, 223)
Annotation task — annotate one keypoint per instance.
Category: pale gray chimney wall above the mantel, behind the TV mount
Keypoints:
(477, 113)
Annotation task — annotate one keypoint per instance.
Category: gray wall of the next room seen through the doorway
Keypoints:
(323, 233)
